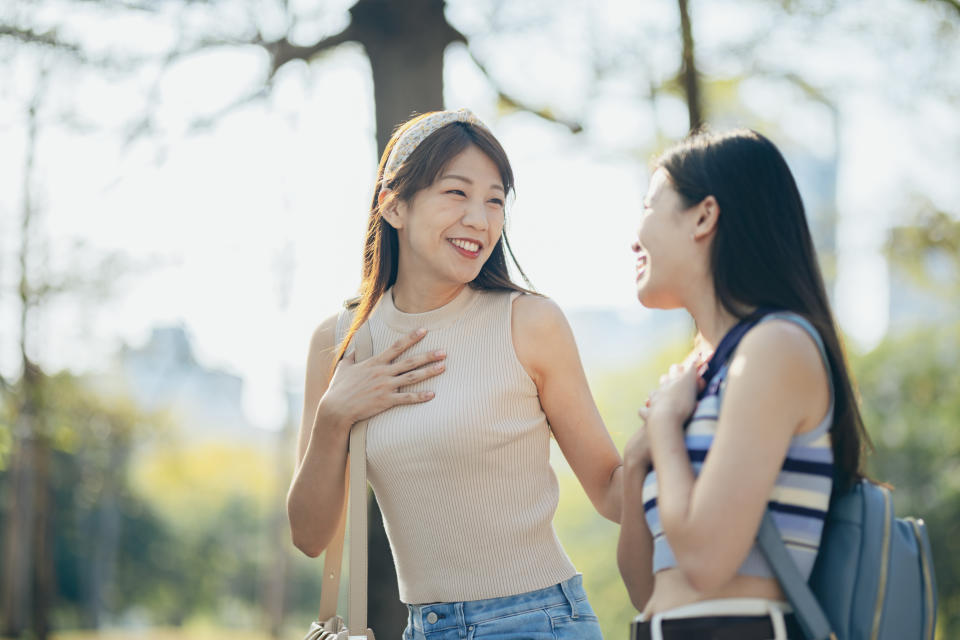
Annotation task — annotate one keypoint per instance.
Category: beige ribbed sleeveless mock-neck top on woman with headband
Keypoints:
(464, 480)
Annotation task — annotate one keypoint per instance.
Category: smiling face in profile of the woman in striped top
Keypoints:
(665, 246)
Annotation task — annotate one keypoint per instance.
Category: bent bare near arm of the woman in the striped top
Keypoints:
(776, 388)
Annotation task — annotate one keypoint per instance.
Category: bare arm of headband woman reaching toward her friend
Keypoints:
(546, 349)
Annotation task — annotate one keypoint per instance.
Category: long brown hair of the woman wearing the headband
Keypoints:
(419, 171)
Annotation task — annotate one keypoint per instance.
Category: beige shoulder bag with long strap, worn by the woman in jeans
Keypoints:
(328, 625)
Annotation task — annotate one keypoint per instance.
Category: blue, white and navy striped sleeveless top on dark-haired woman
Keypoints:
(800, 495)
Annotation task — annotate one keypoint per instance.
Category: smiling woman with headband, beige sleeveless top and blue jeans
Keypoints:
(471, 376)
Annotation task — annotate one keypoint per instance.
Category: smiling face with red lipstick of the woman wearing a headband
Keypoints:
(447, 231)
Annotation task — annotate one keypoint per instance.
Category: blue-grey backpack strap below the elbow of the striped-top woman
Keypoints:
(813, 621)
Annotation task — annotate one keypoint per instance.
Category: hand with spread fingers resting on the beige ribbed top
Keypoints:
(360, 390)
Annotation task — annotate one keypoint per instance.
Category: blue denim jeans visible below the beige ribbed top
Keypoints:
(441, 615)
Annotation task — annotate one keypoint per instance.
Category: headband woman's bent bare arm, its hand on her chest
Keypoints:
(331, 406)
